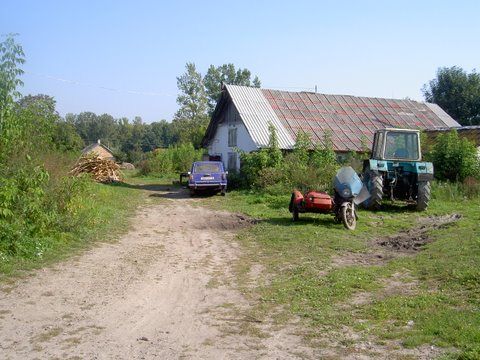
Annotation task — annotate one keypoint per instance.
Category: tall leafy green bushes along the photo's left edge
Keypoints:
(39, 204)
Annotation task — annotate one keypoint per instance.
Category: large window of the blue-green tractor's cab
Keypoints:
(401, 145)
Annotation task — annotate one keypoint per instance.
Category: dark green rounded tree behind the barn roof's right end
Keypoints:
(456, 92)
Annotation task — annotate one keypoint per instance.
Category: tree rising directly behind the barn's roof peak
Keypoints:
(226, 73)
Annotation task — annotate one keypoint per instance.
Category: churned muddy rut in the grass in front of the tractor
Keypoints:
(414, 239)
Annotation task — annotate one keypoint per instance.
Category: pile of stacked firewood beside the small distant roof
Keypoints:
(102, 170)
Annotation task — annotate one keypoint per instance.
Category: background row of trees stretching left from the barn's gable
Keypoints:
(129, 140)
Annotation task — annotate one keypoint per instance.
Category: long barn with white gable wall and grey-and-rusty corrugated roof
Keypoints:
(243, 114)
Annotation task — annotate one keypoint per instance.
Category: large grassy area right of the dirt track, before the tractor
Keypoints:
(305, 275)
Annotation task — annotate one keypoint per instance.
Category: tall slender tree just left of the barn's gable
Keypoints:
(191, 119)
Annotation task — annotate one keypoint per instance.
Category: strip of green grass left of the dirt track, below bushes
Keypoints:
(103, 214)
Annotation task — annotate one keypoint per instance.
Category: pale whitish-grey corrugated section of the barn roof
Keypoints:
(256, 113)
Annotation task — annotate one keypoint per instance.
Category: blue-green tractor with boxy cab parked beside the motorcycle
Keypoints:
(396, 170)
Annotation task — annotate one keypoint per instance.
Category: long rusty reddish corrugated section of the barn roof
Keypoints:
(350, 121)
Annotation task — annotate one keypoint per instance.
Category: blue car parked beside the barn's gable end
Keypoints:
(207, 176)
